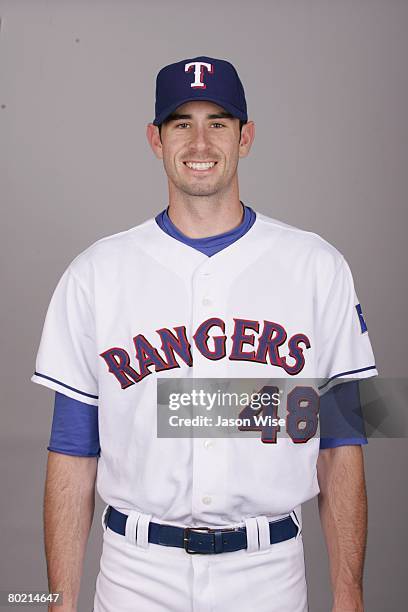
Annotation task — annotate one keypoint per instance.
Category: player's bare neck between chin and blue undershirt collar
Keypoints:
(204, 216)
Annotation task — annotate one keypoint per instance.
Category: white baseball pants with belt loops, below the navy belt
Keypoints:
(145, 577)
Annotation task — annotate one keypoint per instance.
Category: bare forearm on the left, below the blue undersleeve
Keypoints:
(69, 503)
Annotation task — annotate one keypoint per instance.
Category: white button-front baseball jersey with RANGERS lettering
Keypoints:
(279, 302)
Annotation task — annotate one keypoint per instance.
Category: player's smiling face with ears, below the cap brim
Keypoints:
(200, 146)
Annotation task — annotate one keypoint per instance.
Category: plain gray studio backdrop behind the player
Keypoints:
(326, 84)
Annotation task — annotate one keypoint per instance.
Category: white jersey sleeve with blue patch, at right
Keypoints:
(344, 349)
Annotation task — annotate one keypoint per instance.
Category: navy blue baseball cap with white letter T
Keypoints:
(199, 78)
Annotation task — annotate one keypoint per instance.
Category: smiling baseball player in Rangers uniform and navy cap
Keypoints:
(209, 288)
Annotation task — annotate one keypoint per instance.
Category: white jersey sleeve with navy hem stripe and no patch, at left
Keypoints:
(67, 359)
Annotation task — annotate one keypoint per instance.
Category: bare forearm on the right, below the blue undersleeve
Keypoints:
(343, 513)
